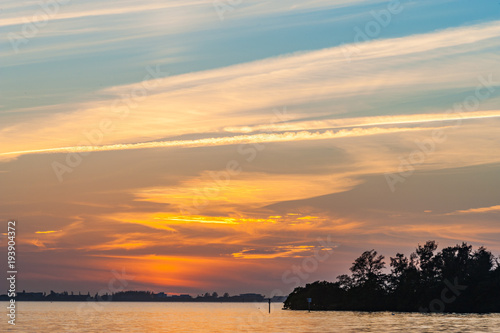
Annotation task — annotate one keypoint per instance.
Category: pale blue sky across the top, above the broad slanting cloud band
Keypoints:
(84, 54)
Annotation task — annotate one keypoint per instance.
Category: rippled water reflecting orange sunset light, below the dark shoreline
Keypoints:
(78, 317)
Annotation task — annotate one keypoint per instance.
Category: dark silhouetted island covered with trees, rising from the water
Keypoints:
(456, 279)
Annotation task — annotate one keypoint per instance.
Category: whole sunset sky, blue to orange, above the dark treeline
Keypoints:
(243, 146)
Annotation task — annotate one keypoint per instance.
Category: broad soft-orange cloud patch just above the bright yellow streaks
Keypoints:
(250, 189)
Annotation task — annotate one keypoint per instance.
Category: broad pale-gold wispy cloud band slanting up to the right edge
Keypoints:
(242, 96)
